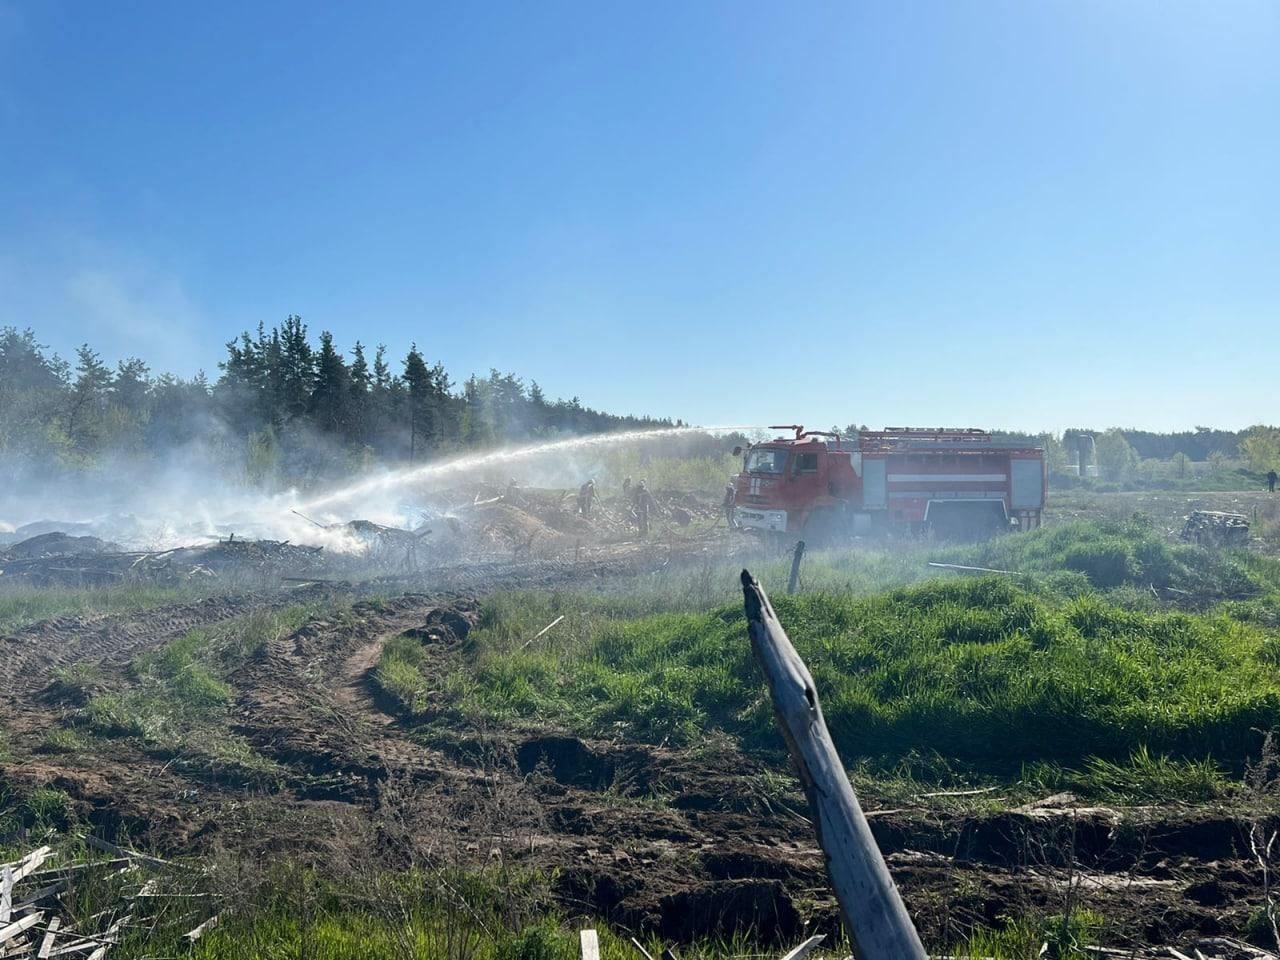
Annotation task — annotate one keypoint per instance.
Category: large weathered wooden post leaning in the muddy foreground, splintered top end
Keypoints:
(874, 912)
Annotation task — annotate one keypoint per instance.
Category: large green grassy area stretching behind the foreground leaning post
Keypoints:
(1076, 666)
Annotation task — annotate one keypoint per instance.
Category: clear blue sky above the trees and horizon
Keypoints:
(1020, 214)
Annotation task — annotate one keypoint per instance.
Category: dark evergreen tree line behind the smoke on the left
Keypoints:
(285, 408)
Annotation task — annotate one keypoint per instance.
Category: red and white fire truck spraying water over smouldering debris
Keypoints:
(950, 483)
